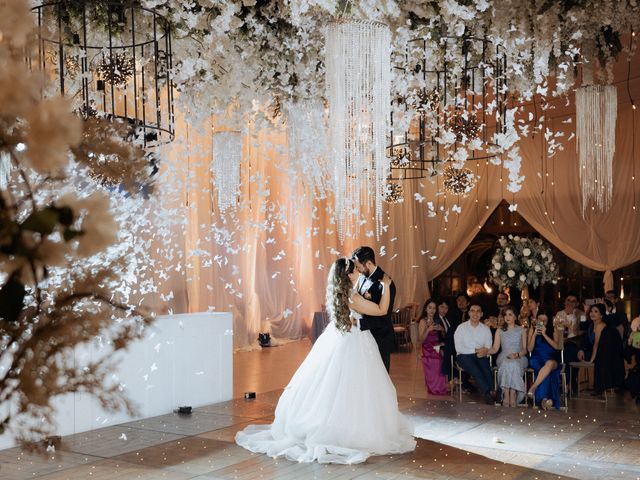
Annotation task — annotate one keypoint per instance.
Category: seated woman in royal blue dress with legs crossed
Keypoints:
(544, 342)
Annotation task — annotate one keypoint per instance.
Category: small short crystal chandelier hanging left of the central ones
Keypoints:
(227, 156)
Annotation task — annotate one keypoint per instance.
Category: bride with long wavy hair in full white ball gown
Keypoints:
(340, 406)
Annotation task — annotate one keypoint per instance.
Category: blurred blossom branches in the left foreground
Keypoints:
(58, 286)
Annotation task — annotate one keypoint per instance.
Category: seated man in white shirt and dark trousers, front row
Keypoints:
(473, 341)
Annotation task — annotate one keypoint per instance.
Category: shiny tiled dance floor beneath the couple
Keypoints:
(465, 440)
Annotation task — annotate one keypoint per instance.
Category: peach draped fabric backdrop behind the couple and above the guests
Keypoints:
(267, 261)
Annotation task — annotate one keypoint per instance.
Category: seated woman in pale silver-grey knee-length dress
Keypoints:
(512, 361)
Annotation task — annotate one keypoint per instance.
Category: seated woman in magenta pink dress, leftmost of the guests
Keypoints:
(430, 335)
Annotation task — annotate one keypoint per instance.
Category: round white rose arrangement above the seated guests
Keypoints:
(523, 262)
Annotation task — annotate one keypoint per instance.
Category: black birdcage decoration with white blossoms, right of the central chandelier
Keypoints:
(465, 95)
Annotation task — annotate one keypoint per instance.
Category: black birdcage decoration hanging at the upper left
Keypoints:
(113, 59)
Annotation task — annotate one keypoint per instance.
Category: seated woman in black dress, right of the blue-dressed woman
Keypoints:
(607, 352)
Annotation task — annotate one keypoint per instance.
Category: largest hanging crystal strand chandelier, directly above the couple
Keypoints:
(358, 78)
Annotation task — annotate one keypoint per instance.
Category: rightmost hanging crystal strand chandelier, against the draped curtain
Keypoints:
(596, 112)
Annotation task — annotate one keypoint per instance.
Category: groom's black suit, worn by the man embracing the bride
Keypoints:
(381, 327)
